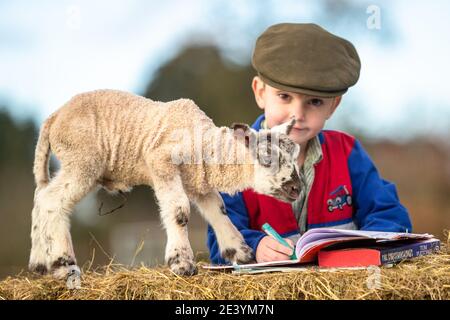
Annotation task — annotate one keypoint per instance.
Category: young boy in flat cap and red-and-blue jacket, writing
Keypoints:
(303, 71)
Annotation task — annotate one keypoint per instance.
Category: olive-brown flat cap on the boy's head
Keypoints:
(305, 58)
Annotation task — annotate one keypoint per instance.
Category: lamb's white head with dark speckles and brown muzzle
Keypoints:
(275, 156)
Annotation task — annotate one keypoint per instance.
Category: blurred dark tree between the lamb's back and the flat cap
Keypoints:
(219, 87)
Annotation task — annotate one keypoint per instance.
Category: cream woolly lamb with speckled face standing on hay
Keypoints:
(118, 140)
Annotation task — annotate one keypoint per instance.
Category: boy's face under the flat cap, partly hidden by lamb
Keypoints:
(279, 106)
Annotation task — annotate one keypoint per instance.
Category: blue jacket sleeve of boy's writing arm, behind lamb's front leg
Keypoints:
(238, 214)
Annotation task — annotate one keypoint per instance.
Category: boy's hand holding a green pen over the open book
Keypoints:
(271, 250)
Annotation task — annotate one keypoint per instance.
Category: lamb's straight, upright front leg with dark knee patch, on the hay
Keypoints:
(175, 211)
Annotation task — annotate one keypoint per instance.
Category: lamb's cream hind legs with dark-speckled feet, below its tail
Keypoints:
(52, 249)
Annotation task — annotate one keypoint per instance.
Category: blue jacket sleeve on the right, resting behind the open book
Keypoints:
(377, 205)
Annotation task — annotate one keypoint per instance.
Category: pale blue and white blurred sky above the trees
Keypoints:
(51, 50)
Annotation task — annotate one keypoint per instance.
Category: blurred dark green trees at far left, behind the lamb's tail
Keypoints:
(17, 142)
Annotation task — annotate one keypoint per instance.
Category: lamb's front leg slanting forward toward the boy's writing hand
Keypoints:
(231, 243)
